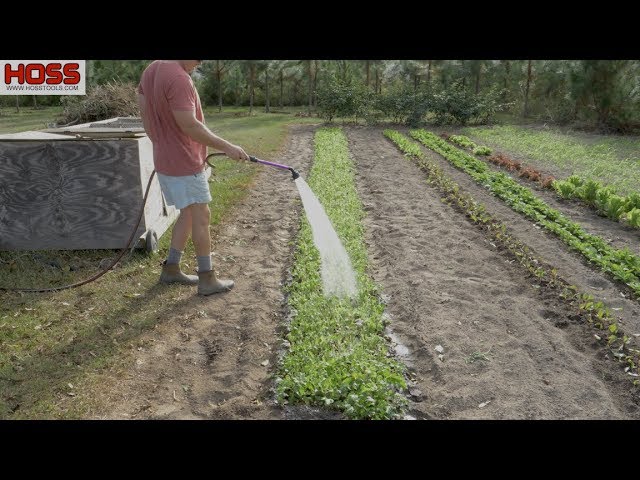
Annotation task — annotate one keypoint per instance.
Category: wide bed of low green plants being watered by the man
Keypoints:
(337, 354)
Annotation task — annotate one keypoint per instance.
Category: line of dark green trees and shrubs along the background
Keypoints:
(603, 94)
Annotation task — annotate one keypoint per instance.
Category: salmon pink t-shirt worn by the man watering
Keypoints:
(166, 86)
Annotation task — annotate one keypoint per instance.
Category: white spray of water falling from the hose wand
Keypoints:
(338, 277)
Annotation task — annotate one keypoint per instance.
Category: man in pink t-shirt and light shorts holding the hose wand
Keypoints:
(173, 119)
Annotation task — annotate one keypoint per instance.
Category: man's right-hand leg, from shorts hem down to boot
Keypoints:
(208, 284)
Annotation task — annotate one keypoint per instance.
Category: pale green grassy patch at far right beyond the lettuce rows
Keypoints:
(612, 160)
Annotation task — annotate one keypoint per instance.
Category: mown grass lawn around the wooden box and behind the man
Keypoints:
(57, 349)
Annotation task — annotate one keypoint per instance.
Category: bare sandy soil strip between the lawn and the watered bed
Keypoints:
(213, 356)
